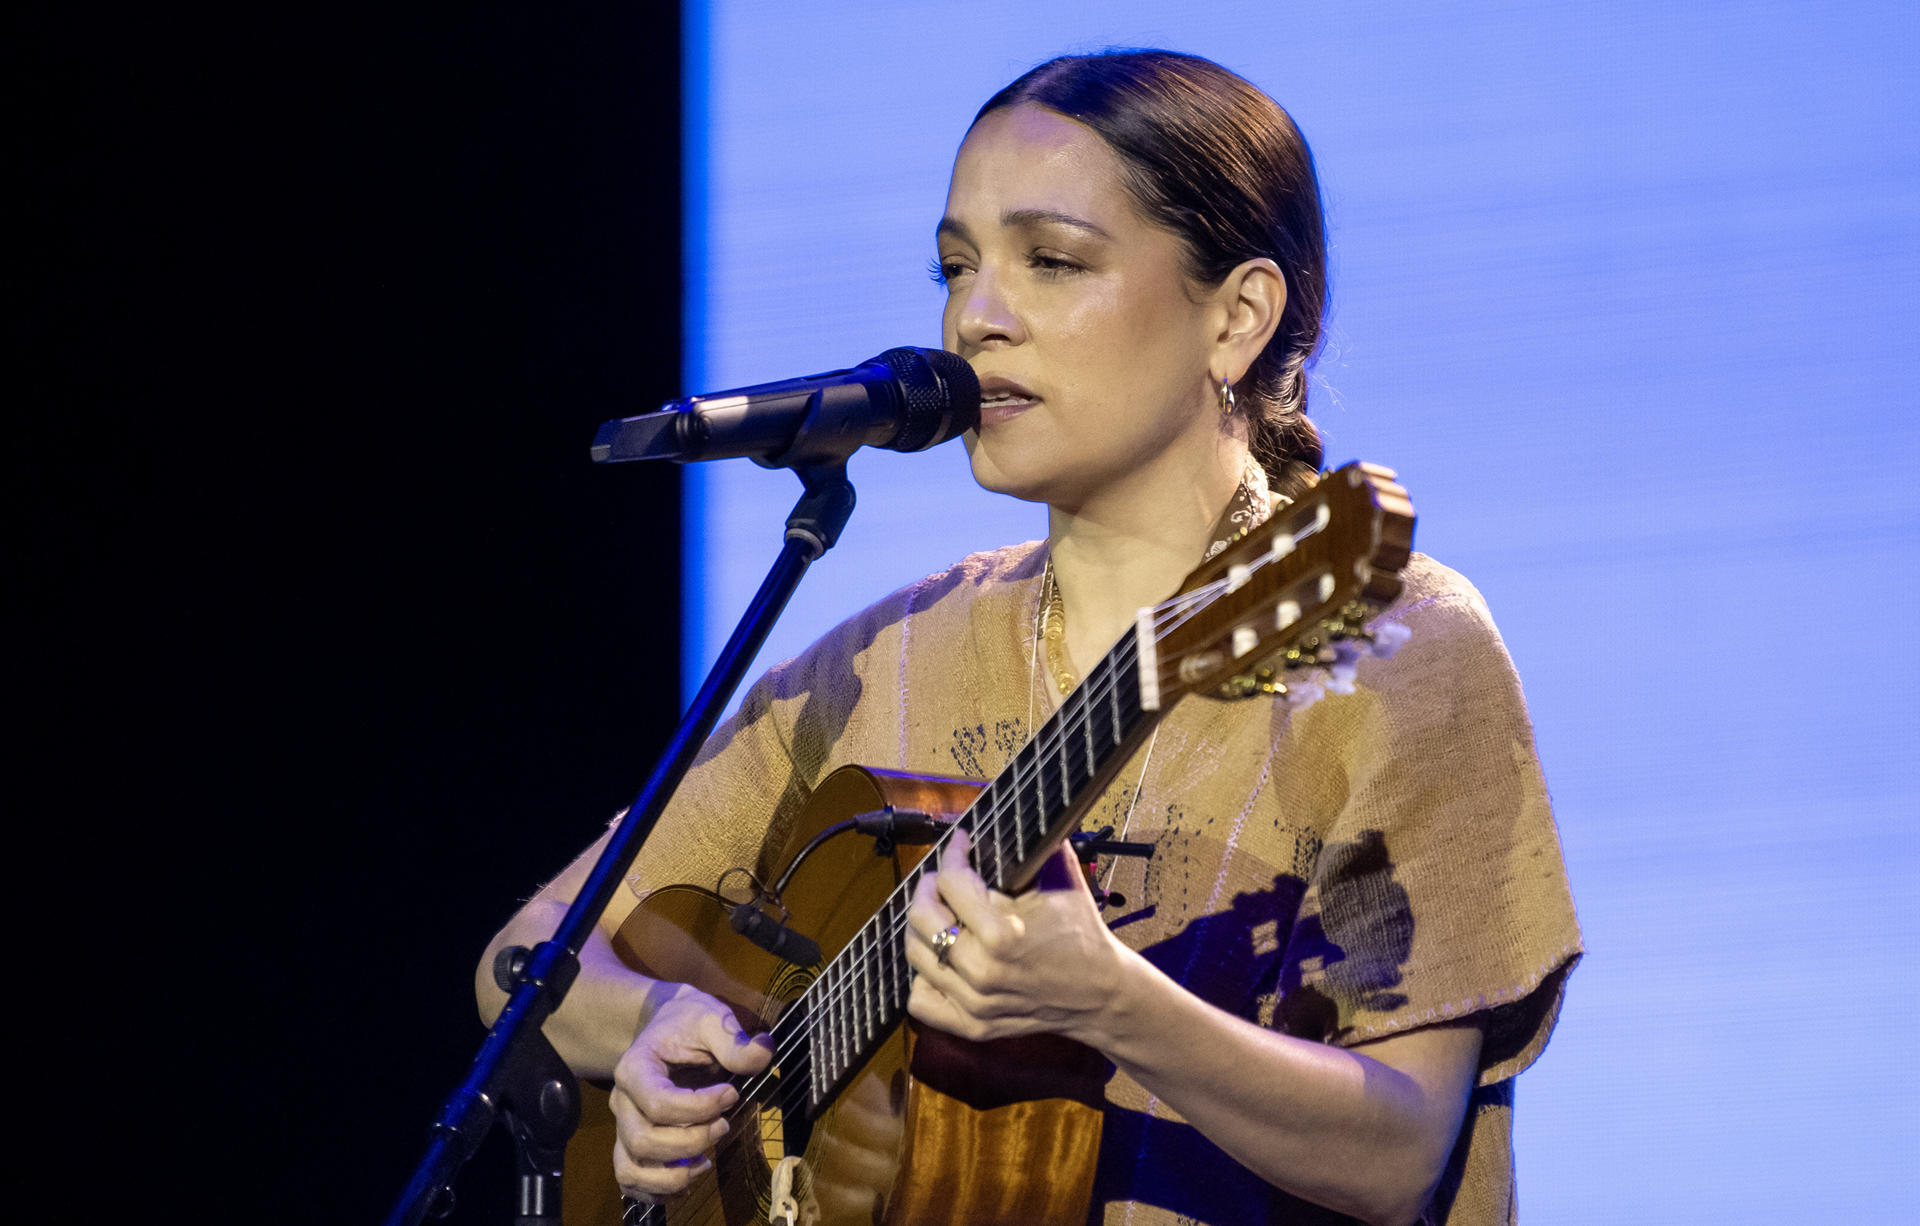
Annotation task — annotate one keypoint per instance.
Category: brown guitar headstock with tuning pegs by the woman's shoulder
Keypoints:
(1289, 600)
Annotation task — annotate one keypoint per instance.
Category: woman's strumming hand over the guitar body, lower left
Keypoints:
(665, 1129)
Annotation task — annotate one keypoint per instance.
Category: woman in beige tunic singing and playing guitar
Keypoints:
(1355, 928)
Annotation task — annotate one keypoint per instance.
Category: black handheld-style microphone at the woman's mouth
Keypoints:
(905, 400)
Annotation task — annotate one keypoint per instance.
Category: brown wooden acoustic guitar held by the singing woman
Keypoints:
(867, 1121)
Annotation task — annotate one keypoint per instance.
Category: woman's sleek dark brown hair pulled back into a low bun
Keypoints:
(1222, 166)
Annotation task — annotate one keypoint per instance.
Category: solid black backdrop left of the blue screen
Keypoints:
(337, 642)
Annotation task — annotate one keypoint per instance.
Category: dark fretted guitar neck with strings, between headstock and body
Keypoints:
(1017, 822)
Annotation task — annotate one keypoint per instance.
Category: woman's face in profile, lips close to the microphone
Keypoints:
(1078, 316)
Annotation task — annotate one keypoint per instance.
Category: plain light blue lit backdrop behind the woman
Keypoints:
(1627, 293)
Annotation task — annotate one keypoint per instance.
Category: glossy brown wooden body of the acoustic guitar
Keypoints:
(930, 1129)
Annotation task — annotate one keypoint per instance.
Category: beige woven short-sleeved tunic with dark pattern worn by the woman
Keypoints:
(1374, 864)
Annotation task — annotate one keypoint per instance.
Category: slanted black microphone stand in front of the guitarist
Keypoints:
(517, 1075)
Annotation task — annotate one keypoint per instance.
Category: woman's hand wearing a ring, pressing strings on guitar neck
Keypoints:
(1040, 962)
